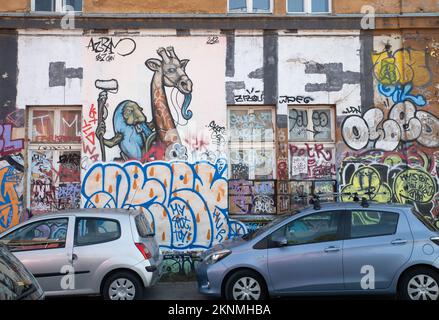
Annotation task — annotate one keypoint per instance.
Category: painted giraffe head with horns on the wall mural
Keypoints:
(171, 69)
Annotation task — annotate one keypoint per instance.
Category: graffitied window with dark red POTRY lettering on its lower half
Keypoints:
(311, 143)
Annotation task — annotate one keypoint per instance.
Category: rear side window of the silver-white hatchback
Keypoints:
(90, 231)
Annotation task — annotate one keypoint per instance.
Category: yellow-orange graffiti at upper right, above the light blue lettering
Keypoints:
(402, 67)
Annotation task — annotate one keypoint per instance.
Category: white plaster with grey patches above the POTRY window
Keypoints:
(295, 51)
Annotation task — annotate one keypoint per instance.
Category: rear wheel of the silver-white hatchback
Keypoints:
(122, 286)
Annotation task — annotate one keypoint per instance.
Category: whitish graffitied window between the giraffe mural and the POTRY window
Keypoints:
(252, 143)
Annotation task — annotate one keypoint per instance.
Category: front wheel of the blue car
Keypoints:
(245, 285)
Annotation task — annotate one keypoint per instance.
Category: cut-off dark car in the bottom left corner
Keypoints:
(15, 281)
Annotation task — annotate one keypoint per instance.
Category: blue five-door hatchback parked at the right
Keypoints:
(335, 249)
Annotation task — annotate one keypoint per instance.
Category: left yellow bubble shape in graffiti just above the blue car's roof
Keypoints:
(366, 182)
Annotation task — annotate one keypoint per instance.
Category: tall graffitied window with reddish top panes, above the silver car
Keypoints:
(54, 158)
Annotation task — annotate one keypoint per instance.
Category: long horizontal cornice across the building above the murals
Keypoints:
(215, 21)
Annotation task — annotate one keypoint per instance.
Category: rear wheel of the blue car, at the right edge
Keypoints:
(419, 284)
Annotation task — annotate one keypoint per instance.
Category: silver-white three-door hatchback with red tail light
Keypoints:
(88, 251)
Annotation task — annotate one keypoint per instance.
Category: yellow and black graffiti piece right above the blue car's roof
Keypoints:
(391, 177)
